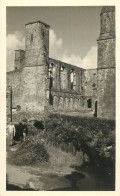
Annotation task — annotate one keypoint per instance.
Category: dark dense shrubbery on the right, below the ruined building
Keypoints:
(95, 137)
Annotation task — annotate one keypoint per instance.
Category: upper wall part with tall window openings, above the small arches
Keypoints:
(61, 74)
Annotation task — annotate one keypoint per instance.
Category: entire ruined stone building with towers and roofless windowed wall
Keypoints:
(39, 83)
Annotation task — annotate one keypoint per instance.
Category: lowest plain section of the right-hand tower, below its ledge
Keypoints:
(106, 93)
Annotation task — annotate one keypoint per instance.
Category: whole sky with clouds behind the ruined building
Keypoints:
(73, 32)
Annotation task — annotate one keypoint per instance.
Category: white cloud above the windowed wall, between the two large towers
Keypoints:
(57, 52)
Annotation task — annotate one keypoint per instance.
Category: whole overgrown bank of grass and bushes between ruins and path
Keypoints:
(62, 142)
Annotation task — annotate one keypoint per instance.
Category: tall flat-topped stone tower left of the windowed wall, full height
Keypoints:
(36, 67)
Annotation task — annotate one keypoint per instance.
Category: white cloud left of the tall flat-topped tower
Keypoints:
(14, 42)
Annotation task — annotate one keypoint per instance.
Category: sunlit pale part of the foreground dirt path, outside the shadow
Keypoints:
(37, 179)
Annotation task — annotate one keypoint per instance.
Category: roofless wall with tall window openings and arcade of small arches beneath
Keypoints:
(66, 97)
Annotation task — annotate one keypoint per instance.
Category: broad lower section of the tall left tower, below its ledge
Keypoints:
(33, 98)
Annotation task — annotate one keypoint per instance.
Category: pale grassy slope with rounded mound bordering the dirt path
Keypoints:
(37, 151)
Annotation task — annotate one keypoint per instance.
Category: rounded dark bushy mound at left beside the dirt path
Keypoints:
(32, 151)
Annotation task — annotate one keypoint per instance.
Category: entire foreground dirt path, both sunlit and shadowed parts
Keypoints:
(47, 178)
